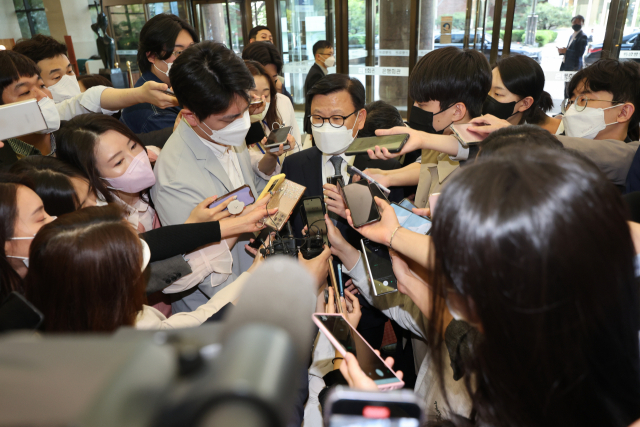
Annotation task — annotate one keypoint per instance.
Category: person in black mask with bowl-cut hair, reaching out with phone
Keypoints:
(448, 85)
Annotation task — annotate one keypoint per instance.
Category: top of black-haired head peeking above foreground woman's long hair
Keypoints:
(521, 135)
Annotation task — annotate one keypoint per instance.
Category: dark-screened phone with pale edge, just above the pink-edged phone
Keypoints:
(379, 267)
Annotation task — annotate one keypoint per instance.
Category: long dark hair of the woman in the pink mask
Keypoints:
(76, 144)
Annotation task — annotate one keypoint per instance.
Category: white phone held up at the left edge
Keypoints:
(20, 118)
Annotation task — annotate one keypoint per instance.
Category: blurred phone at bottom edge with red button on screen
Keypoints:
(348, 407)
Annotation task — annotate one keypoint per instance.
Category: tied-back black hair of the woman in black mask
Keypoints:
(524, 77)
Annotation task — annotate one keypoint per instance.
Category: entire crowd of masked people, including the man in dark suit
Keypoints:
(520, 307)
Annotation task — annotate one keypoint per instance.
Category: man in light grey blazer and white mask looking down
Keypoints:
(207, 155)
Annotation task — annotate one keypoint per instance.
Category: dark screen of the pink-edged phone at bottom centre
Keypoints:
(352, 342)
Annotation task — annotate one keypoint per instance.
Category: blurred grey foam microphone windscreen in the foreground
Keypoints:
(279, 293)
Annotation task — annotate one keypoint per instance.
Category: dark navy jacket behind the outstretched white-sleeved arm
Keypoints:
(145, 117)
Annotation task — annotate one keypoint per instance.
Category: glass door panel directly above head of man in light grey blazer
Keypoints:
(220, 21)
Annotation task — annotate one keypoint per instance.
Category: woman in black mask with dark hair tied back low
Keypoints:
(517, 93)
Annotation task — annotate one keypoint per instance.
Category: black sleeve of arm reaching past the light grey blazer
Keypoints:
(171, 240)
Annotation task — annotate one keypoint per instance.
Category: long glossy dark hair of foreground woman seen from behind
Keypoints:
(536, 245)
